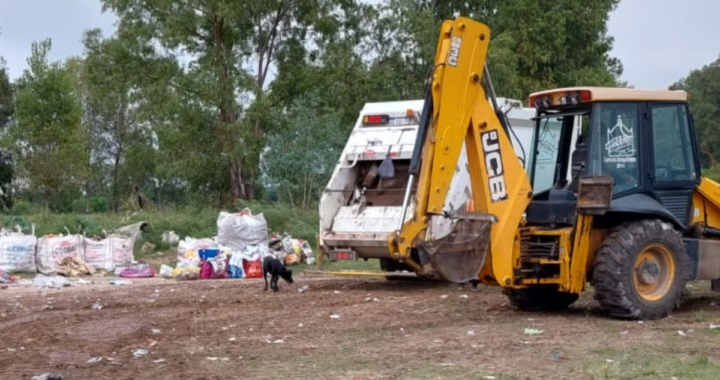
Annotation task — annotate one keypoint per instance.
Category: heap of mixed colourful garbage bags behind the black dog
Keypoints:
(242, 243)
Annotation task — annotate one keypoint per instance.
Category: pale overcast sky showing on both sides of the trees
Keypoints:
(658, 41)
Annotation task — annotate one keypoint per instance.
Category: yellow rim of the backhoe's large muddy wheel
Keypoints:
(654, 272)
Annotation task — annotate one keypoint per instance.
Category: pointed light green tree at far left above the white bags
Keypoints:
(47, 140)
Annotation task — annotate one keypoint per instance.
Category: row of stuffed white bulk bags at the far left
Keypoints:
(69, 255)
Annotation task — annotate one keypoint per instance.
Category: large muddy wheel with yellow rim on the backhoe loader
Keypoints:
(640, 270)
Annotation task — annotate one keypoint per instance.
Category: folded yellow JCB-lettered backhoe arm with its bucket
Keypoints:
(457, 111)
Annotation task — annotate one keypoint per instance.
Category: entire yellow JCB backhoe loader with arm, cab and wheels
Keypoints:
(635, 219)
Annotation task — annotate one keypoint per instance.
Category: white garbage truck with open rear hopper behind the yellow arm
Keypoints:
(362, 203)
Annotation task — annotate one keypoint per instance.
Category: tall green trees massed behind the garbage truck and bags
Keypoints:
(208, 101)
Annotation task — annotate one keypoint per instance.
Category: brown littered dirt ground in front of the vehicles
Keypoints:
(339, 328)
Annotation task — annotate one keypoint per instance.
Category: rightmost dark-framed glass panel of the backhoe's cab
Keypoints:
(673, 169)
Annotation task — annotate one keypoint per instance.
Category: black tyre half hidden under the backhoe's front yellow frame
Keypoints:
(540, 297)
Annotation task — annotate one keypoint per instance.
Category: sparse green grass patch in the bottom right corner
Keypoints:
(636, 363)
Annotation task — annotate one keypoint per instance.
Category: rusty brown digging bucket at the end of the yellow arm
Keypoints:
(459, 256)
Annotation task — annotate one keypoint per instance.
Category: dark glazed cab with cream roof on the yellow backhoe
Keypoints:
(644, 140)
